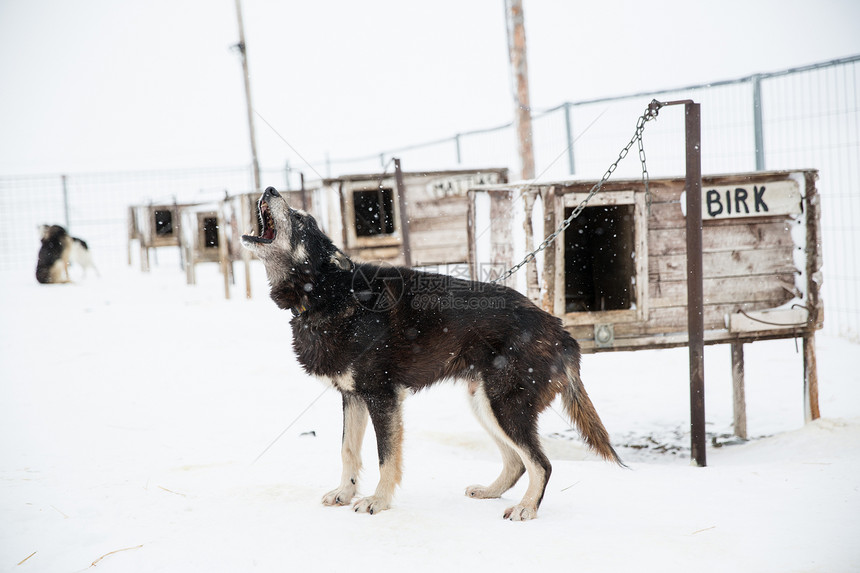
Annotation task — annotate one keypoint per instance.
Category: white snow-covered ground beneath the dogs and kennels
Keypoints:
(132, 408)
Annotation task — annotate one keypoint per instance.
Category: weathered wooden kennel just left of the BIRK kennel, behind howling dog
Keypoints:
(420, 220)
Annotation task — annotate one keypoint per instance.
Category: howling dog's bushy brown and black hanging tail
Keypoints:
(582, 412)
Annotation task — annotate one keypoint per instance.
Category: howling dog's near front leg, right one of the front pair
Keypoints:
(386, 413)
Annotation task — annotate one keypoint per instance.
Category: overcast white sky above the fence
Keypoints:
(106, 85)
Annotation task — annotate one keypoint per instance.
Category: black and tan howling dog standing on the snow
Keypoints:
(379, 333)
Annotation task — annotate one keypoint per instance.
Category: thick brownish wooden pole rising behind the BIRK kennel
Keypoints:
(520, 83)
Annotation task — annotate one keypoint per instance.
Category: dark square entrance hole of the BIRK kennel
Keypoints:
(599, 263)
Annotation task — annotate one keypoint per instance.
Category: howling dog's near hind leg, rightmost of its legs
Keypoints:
(516, 426)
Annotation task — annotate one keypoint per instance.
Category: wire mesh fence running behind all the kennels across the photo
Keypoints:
(800, 118)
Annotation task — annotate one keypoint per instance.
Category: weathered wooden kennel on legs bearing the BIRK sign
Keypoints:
(617, 277)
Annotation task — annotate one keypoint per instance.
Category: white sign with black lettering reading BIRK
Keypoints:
(758, 200)
